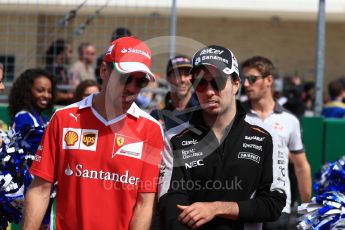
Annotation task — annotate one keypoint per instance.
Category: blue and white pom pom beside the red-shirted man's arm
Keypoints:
(16, 155)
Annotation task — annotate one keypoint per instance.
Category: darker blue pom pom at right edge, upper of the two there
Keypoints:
(331, 177)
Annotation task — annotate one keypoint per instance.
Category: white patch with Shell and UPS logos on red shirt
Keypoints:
(83, 139)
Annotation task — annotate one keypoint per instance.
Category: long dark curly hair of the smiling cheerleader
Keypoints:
(20, 97)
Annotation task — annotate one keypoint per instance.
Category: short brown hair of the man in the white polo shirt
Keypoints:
(262, 64)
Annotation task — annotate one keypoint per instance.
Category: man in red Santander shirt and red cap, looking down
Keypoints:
(103, 151)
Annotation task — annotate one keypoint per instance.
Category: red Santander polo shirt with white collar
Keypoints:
(100, 165)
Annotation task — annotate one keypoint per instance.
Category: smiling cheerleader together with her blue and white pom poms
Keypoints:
(31, 95)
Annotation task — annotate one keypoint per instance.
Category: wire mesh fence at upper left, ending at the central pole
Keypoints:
(29, 27)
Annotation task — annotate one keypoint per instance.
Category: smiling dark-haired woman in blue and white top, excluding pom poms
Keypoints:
(31, 95)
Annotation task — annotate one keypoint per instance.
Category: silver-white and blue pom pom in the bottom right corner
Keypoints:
(326, 211)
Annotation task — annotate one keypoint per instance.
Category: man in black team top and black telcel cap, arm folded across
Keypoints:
(218, 171)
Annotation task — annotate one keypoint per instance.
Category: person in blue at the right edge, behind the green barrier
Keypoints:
(336, 107)
